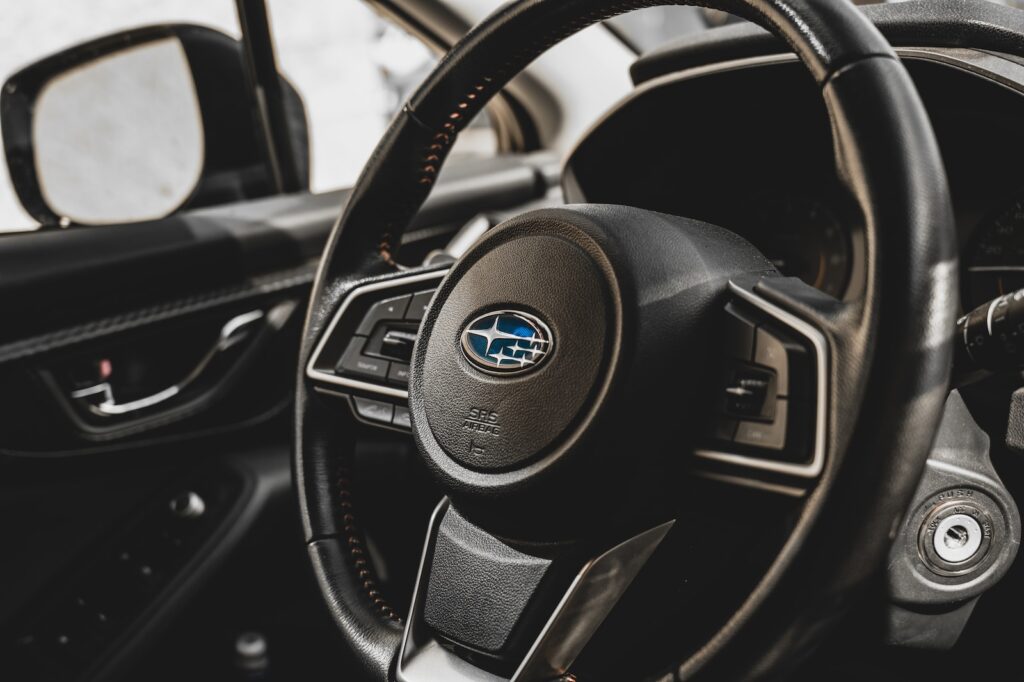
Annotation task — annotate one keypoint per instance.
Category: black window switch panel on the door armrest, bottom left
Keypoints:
(75, 622)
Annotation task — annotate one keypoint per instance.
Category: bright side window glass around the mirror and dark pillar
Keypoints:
(350, 66)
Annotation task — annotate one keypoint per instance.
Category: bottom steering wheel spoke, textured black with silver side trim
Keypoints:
(536, 608)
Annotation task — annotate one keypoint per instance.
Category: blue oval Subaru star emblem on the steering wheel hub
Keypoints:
(507, 343)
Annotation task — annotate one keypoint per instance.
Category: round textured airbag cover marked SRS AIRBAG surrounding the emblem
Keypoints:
(494, 422)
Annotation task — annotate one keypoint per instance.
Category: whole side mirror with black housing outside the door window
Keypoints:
(139, 125)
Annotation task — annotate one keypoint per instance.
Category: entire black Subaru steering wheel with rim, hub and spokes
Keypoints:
(568, 370)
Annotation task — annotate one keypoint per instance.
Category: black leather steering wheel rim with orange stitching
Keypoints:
(889, 353)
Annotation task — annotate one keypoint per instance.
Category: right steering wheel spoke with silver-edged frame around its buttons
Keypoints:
(767, 414)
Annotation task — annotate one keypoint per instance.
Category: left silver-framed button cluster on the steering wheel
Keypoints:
(368, 348)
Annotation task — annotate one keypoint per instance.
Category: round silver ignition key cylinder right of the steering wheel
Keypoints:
(955, 538)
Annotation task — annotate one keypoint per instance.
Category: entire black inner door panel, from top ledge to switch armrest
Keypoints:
(140, 364)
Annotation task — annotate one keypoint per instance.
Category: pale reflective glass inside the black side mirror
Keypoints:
(120, 139)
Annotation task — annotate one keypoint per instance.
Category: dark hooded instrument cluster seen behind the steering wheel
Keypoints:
(747, 146)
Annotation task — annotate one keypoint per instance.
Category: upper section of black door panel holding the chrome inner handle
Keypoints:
(130, 335)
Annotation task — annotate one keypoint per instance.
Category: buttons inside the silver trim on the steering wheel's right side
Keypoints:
(765, 410)
